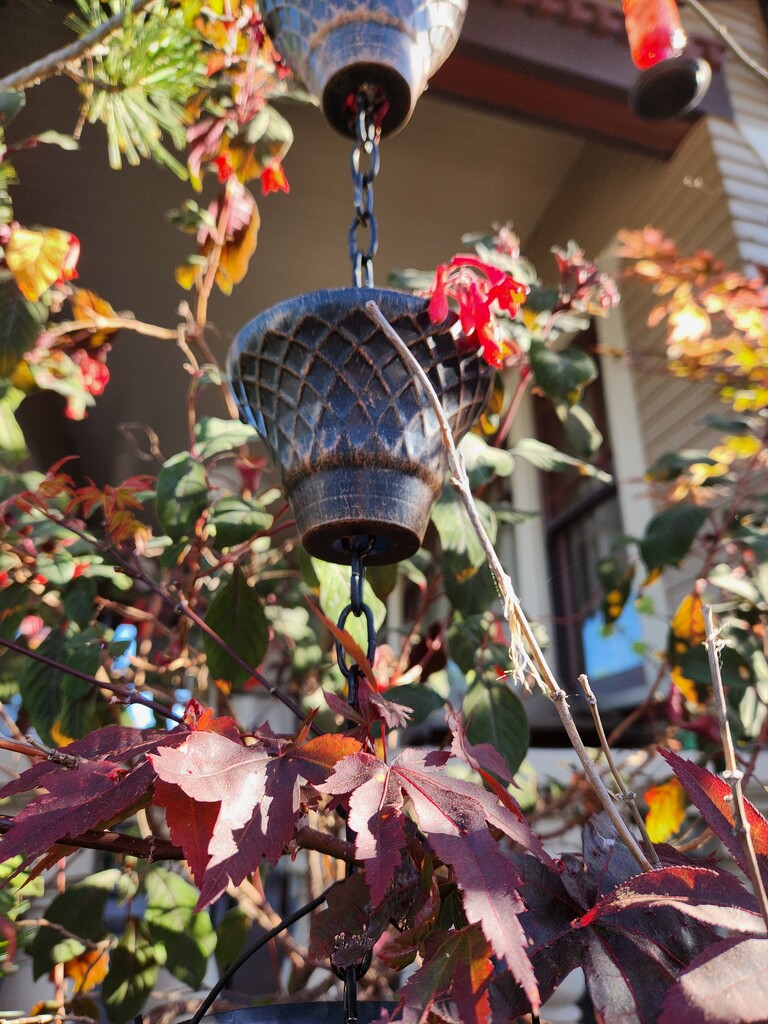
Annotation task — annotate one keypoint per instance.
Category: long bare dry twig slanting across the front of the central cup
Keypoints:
(520, 625)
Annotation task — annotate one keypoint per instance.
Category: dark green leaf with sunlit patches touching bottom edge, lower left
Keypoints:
(134, 972)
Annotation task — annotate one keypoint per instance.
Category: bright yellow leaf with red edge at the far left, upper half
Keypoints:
(38, 259)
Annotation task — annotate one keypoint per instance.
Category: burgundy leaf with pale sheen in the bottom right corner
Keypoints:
(727, 985)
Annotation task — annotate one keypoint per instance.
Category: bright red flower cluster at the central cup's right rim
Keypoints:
(476, 287)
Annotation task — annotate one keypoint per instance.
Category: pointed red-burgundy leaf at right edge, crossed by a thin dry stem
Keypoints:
(712, 797)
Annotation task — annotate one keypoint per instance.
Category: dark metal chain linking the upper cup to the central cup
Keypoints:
(365, 168)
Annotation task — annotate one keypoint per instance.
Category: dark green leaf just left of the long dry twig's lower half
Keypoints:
(495, 715)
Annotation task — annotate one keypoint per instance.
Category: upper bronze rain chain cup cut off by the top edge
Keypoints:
(390, 48)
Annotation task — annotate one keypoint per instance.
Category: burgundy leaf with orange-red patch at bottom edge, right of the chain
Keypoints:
(458, 969)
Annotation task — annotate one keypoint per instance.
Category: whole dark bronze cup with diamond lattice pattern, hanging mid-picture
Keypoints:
(357, 445)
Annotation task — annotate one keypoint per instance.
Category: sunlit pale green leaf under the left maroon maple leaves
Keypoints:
(189, 938)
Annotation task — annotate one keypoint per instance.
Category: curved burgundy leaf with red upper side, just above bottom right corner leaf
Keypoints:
(716, 899)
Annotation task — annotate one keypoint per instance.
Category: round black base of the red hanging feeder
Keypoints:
(670, 90)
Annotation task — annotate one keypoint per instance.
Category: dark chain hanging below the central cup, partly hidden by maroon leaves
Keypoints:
(359, 548)
